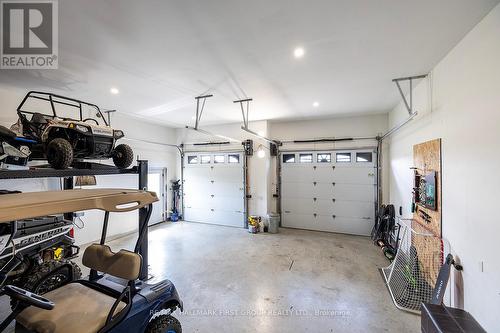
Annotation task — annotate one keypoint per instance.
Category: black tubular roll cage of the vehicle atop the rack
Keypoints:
(54, 99)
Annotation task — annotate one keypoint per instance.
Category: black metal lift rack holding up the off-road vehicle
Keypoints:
(92, 169)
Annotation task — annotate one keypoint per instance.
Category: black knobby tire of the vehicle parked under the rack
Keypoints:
(49, 275)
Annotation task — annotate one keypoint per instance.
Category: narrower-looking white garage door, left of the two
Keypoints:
(213, 188)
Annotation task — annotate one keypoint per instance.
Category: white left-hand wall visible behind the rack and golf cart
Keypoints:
(158, 156)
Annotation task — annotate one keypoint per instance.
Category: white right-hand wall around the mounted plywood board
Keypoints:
(460, 103)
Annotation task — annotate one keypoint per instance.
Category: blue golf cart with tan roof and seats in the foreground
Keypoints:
(112, 299)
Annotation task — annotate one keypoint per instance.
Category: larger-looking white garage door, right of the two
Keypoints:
(329, 191)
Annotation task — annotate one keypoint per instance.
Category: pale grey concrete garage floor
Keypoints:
(294, 281)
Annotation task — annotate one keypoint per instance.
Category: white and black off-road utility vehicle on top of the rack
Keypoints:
(66, 129)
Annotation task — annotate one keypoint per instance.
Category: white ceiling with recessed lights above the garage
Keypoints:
(161, 54)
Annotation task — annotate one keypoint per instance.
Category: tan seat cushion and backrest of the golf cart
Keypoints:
(80, 308)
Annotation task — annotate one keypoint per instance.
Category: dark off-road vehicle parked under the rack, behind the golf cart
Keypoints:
(36, 253)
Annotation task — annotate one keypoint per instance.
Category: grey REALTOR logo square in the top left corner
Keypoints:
(29, 34)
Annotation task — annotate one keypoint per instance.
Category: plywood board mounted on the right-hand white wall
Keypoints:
(427, 158)
